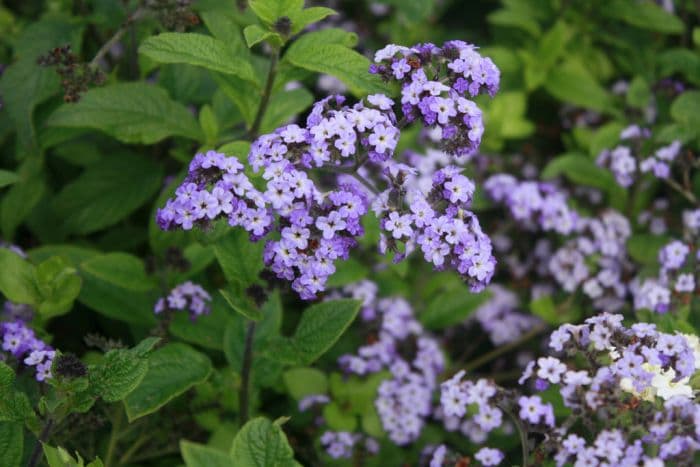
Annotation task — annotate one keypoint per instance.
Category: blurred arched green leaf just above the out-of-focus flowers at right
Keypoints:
(582, 170)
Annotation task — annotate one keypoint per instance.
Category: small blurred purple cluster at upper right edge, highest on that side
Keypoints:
(622, 160)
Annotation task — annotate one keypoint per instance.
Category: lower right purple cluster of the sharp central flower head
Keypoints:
(448, 234)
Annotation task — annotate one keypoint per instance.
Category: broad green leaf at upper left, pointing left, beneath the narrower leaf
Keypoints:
(131, 112)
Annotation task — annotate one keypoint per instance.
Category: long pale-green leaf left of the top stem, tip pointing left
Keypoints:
(199, 50)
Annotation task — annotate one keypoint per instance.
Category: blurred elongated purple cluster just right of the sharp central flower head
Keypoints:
(534, 204)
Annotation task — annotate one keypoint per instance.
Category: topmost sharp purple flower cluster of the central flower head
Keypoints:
(435, 81)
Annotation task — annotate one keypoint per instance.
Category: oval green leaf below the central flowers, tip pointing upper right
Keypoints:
(321, 325)
